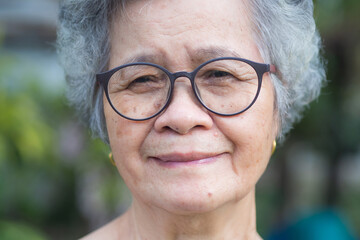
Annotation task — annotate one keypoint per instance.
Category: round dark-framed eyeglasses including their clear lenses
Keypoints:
(225, 86)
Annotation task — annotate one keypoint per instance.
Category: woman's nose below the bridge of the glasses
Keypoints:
(184, 113)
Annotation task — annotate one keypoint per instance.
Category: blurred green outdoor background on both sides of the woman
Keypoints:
(57, 183)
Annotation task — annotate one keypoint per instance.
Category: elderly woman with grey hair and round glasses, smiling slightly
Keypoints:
(191, 96)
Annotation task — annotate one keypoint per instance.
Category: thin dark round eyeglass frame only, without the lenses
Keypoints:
(260, 69)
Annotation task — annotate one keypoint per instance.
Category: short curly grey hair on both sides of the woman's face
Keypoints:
(284, 30)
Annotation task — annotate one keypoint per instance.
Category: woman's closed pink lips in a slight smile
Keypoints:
(185, 159)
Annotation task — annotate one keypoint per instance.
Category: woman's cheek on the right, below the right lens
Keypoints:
(252, 134)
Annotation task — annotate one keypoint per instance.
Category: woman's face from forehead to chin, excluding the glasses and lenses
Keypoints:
(187, 159)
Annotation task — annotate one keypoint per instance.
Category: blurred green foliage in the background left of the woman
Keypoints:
(44, 157)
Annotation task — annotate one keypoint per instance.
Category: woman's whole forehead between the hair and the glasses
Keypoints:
(186, 27)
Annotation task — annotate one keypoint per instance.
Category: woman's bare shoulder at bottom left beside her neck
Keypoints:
(116, 229)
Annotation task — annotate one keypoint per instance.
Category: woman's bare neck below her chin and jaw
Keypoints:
(236, 220)
